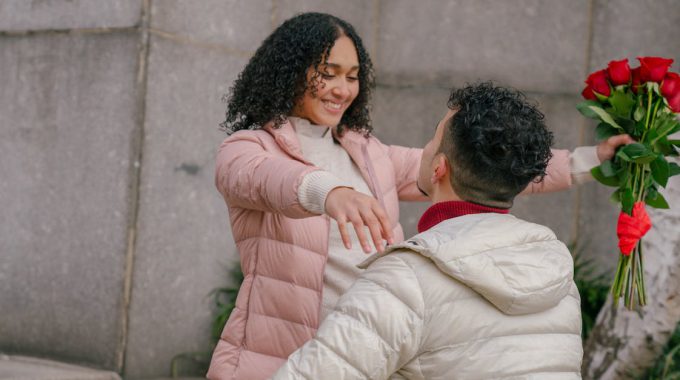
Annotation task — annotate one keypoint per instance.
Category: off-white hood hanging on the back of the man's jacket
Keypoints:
(519, 267)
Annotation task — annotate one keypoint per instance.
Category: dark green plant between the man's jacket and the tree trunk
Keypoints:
(593, 287)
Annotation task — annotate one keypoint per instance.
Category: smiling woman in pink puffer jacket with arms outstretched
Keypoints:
(300, 165)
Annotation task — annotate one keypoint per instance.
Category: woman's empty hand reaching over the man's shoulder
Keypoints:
(346, 205)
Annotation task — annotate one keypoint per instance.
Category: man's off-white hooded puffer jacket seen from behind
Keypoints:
(483, 296)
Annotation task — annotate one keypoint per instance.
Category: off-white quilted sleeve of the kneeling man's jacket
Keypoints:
(373, 331)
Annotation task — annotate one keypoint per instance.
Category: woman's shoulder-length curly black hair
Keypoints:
(275, 78)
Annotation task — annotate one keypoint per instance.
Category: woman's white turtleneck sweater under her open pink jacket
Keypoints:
(319, 148)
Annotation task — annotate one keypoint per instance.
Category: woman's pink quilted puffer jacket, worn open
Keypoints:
(283, 248)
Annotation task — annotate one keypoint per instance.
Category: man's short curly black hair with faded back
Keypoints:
(497, 143)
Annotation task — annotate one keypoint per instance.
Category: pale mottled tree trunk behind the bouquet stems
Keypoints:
(623, 343)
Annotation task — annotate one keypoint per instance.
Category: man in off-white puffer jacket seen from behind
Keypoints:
(478, 293)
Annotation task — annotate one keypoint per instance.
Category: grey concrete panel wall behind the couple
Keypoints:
(112, 232)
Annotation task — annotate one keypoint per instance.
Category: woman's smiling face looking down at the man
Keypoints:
(337, 86)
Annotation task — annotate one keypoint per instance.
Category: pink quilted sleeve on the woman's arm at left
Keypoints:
(249, 176)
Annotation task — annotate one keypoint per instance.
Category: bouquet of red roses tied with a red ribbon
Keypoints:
(642, 102)
